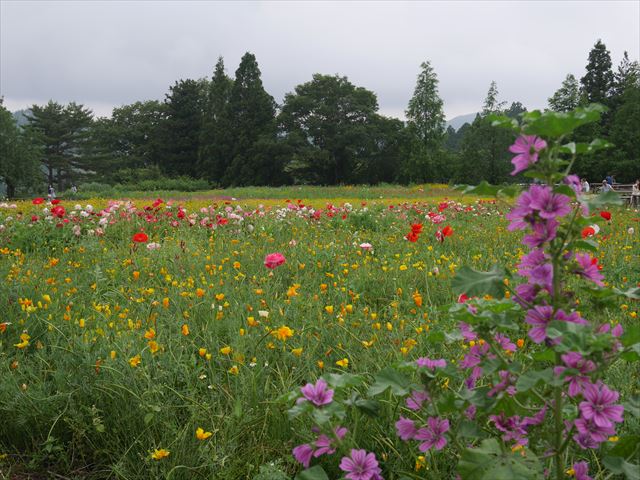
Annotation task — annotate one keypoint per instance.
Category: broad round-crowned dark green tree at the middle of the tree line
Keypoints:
(330, 124)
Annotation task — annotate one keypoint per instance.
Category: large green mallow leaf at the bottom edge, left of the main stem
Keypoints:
(490, 462)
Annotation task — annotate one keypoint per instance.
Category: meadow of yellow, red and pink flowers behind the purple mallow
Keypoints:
(160, 339)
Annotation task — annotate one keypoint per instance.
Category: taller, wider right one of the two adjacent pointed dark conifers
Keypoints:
(250, 129)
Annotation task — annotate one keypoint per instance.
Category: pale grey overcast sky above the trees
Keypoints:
(106, 54)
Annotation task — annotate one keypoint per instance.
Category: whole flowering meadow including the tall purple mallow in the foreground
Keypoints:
(416, 333)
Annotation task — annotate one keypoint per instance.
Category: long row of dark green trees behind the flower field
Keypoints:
(231, 132)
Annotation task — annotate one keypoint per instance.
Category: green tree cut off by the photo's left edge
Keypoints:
(19, 158)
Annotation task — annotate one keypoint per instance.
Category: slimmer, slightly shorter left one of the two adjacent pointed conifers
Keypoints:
(214, 156)
